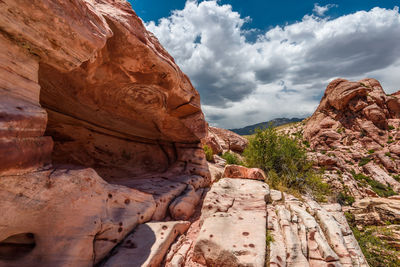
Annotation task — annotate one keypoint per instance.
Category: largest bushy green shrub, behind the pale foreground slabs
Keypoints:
(285, 162)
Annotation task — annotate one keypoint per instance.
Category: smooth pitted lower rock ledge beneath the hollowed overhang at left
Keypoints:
(74, 216)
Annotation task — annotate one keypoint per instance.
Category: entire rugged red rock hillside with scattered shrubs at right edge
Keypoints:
(354, 136)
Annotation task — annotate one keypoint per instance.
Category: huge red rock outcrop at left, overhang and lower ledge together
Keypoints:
(82, 83)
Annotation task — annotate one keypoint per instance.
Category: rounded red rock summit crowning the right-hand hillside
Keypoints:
(361, 108)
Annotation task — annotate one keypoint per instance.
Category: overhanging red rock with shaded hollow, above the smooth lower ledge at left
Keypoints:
(115, 98)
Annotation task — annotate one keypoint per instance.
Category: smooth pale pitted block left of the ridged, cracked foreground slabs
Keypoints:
(231, 210)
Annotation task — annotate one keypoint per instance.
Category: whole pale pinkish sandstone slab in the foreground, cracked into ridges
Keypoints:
(238, 217)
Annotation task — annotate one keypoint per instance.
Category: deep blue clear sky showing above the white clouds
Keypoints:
(263, 13)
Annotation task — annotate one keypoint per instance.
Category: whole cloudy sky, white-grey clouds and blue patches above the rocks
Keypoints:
(252, 61)
